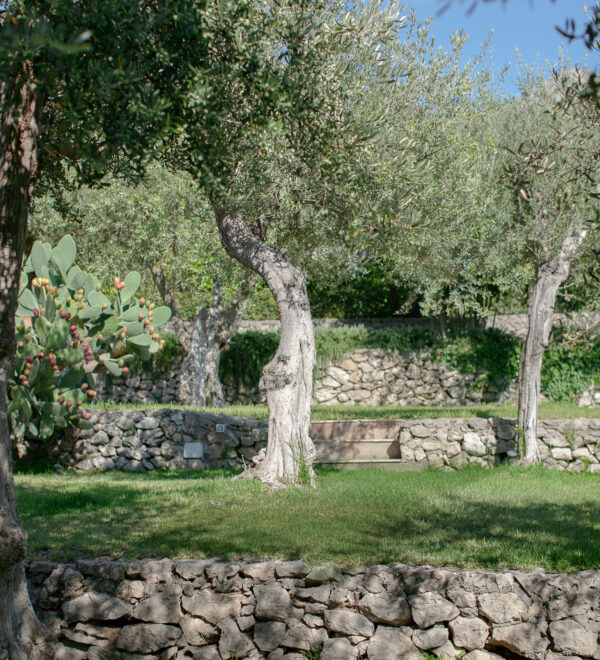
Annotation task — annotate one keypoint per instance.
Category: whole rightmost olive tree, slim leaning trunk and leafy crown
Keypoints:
(552, 172)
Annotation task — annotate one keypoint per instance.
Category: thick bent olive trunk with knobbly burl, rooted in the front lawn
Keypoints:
(287, 379)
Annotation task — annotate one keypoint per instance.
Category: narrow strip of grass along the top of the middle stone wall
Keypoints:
(547, 410)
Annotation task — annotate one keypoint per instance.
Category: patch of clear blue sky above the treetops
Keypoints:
(529, 25)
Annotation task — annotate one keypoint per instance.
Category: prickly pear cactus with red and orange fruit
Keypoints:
(68, 329)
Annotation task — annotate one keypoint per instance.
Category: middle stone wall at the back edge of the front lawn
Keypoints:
(138, 440)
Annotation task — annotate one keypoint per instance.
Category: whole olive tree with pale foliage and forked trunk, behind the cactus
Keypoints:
(164, 226)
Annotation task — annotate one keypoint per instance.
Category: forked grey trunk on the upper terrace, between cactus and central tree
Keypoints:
(199, 383)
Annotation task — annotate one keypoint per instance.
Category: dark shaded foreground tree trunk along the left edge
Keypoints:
(21, 634)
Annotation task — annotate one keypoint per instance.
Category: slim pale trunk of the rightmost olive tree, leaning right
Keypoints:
(542, 298)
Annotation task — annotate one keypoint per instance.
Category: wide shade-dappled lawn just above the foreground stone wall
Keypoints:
(503, 518)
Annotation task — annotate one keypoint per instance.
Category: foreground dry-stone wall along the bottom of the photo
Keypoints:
(212, 610)
